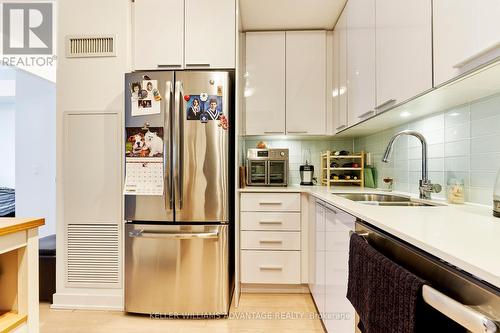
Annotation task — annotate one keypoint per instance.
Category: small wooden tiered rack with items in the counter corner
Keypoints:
(326, 170)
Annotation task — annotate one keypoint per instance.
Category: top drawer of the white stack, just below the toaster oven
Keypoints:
(258, 202)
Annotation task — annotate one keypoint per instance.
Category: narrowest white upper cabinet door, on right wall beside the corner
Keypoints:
(339, 69)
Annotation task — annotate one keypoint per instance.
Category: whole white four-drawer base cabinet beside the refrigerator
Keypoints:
(270, 239)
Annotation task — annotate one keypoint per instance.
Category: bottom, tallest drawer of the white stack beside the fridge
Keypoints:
(274, 267)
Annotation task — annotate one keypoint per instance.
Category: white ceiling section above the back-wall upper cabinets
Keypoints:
(289, 14)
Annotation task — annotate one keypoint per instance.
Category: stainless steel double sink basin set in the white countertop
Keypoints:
(391, 200)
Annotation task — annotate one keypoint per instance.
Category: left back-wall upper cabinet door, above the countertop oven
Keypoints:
(265, 83)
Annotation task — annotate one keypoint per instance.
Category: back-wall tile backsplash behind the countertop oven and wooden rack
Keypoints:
(297, 148)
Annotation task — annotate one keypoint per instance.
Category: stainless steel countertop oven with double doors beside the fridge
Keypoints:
(267, 167)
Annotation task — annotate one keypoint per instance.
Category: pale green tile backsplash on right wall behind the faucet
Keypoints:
(463, 143)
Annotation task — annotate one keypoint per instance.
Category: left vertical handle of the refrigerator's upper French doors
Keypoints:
(167, 164)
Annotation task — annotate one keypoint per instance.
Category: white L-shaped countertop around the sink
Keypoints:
(466, 236)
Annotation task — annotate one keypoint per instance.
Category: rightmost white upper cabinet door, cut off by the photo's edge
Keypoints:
(466, 34)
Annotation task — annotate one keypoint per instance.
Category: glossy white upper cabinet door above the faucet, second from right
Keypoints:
(403, 50)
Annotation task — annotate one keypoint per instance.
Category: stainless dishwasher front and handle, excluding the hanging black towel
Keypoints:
(470, 302)
